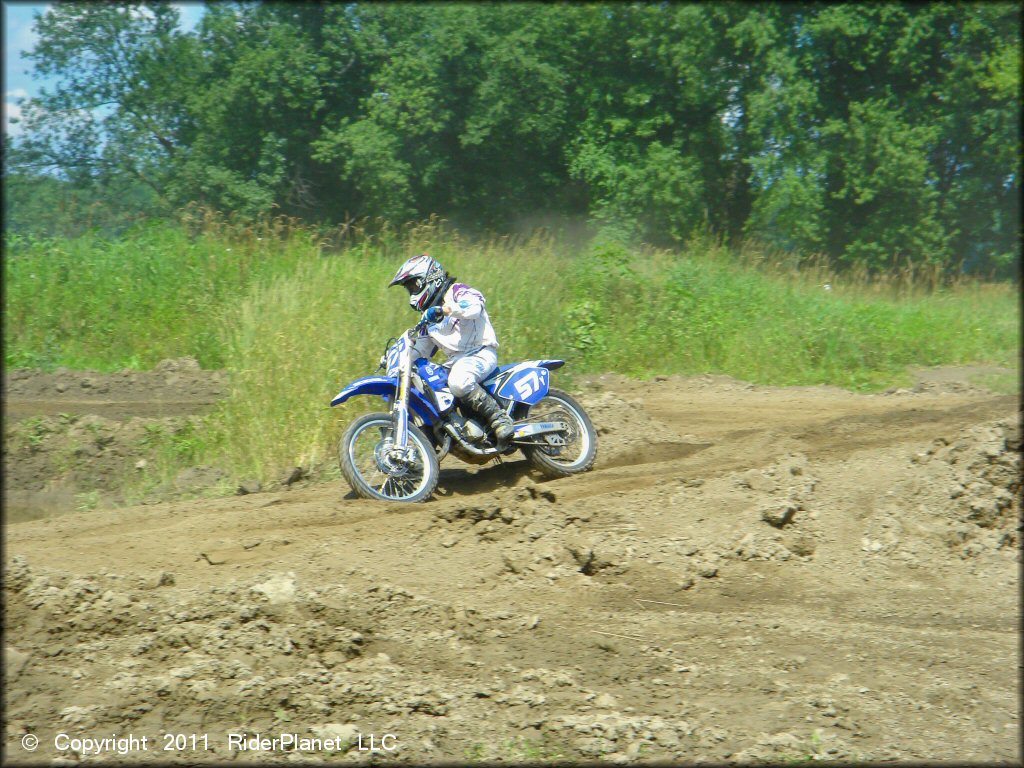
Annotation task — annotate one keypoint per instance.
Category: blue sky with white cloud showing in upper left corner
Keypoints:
(19, 36)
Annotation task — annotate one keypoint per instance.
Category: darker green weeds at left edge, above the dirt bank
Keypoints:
(107, 304)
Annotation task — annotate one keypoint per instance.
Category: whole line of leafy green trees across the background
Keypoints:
(869, 133)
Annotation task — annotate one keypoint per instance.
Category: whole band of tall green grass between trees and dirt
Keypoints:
(293, 316)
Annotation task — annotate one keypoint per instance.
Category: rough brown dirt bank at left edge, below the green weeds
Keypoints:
(76, 440)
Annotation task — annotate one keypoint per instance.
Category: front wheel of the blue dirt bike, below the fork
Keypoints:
(377, 471)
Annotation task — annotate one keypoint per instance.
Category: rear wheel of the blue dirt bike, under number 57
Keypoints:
(580, 449)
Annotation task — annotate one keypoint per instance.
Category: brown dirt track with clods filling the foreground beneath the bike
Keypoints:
(780, 575)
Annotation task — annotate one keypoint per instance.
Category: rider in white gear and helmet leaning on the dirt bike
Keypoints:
(457, 323)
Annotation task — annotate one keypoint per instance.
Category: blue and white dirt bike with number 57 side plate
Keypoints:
(395, 456)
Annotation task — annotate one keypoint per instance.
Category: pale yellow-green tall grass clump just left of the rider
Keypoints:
(294, 343)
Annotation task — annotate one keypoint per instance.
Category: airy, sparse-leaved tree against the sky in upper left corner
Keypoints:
(117, 110)
